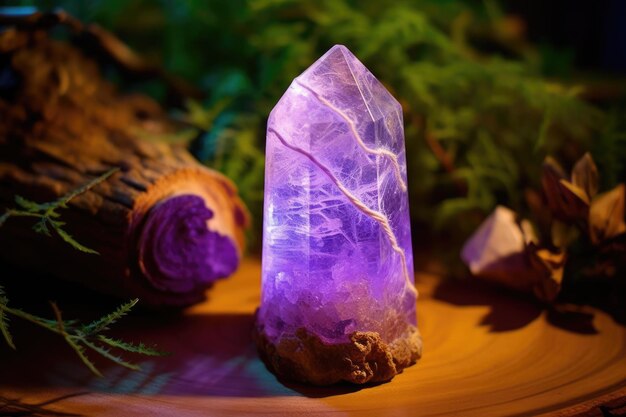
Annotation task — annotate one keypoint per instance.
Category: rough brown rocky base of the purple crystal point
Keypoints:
(364, 358)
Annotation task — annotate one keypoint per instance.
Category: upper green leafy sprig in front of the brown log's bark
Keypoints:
(47, 214)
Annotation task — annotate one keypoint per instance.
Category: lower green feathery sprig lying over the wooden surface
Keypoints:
(80, 337)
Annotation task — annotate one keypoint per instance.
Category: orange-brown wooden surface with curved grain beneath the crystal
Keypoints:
(486, 353)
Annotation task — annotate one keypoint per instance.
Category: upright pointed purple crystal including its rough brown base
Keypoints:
(337, 258)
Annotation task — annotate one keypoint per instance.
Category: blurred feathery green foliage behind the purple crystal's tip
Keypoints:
(492, 113)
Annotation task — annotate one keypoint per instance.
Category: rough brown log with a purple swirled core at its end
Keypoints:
(165, 226)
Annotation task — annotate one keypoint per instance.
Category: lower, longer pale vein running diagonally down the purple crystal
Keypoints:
(378, 217)
